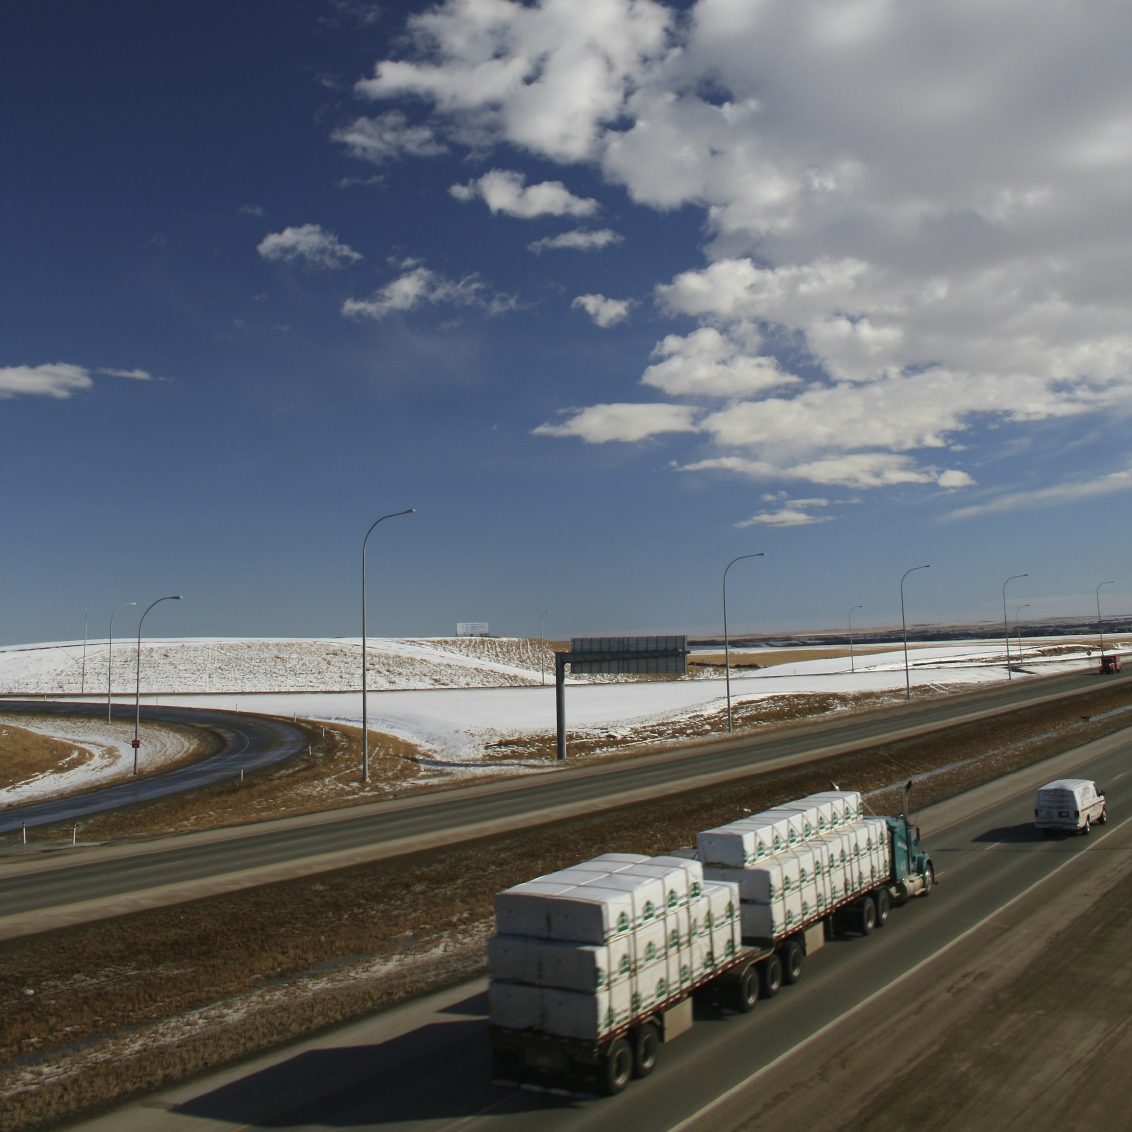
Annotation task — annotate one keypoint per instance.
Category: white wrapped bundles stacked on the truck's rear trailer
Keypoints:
(581, 951)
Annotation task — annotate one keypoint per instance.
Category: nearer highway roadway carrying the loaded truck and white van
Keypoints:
(426, 1067)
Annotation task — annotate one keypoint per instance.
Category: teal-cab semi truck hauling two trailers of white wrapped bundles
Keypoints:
(595, 968)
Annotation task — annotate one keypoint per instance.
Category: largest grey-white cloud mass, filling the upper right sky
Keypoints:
(912, 259)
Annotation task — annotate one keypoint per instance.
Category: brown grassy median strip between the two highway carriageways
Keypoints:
(119, 1008)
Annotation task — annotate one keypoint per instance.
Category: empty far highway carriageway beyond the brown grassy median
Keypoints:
(106, 881)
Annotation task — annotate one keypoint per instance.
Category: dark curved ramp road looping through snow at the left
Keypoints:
(248, 743)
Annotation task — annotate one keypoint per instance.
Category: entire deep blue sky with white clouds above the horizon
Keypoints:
(611, 291)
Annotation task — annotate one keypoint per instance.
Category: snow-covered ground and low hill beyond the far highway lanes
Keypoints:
(449, 697)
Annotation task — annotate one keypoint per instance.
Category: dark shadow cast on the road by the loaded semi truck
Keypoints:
(442, 1070)
